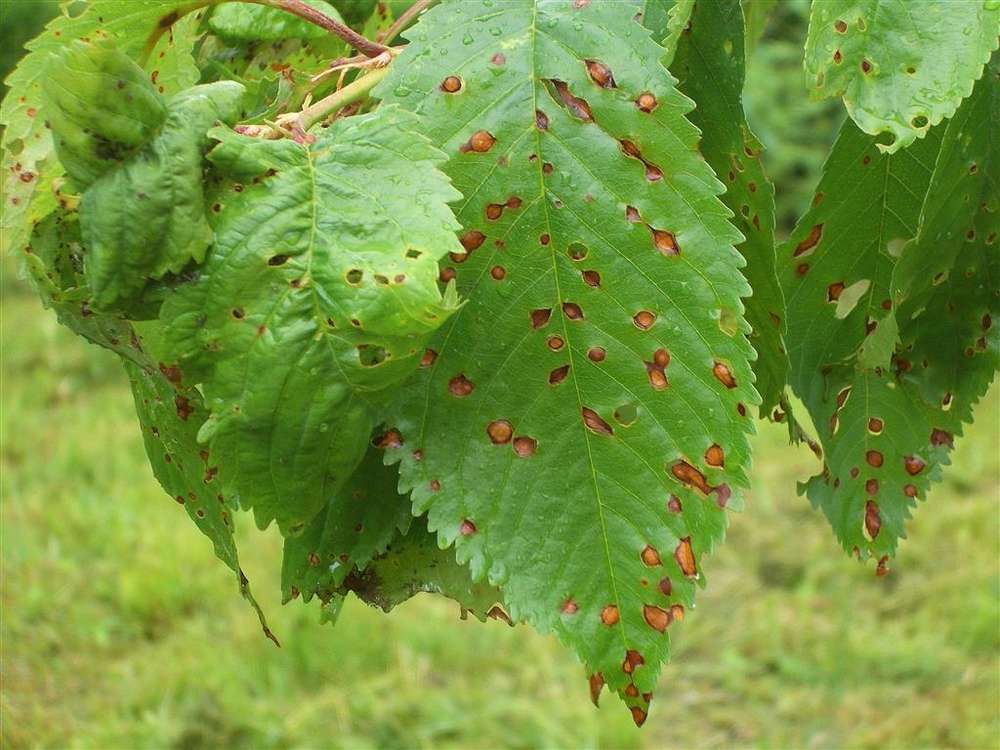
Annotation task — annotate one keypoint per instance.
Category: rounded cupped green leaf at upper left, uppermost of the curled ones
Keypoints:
(101, 106)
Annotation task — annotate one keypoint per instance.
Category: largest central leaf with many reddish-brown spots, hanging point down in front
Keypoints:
(549, 420)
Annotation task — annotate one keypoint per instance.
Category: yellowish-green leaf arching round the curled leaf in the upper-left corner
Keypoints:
(30, 170)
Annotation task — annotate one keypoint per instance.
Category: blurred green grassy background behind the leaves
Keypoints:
(120, 630)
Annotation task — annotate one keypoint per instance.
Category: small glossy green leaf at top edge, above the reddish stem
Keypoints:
(247, 22)
